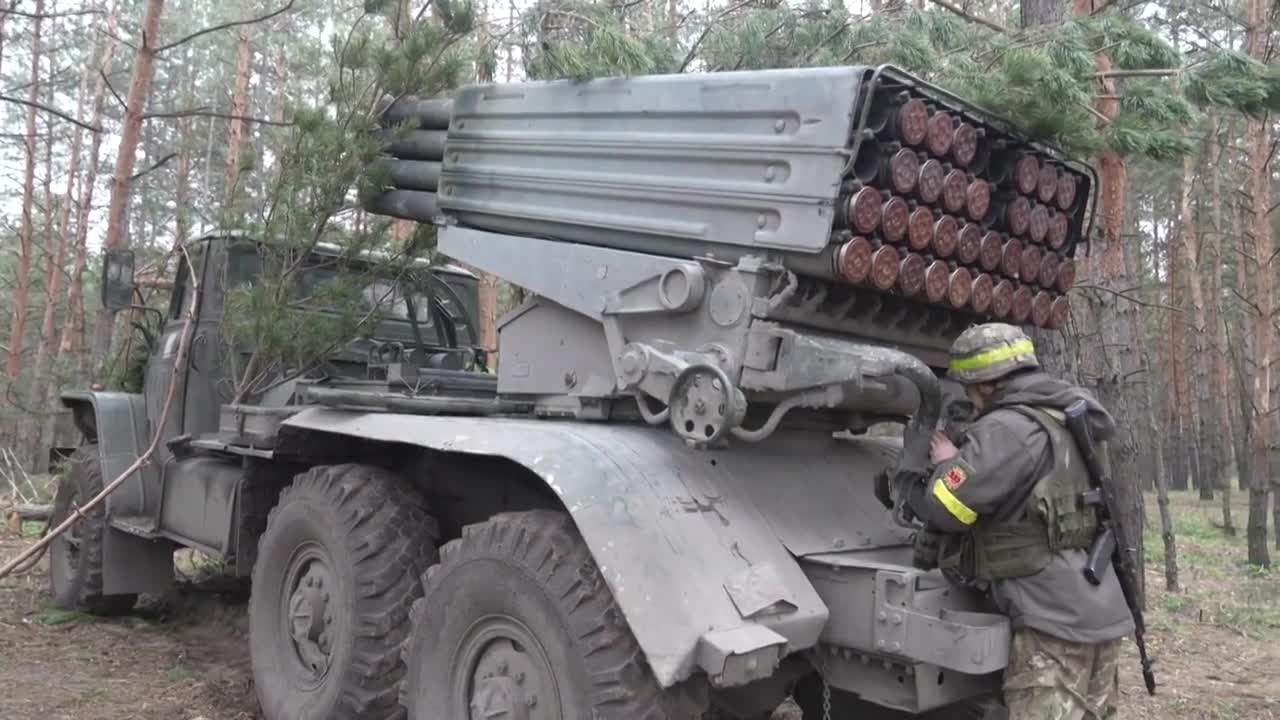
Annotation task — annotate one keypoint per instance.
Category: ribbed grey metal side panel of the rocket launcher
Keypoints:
(742, 160)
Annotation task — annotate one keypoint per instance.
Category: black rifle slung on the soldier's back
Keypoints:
(1110, 545)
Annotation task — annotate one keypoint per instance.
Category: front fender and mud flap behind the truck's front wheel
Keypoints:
(118, 423)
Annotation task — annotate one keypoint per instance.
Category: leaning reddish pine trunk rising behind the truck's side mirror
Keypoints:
(140, 90)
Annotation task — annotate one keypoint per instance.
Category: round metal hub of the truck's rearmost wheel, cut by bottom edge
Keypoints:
(510, 677)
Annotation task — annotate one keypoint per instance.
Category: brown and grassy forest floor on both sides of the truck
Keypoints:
(186, 657)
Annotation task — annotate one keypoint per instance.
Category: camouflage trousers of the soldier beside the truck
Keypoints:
(1054, 680)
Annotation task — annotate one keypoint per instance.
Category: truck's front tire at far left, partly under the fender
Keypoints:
(76, 557)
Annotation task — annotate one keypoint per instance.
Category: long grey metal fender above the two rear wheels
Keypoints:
(698, 546)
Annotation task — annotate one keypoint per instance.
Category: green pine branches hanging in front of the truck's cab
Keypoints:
(280, 323)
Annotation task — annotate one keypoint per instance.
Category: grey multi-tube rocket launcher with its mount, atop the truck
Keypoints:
(734, 245)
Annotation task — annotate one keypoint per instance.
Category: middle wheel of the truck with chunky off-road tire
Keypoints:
(337, 571)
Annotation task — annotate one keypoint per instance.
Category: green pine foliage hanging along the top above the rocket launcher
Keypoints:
(1045, 80)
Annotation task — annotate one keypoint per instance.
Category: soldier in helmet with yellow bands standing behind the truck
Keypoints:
(1005, 512)
